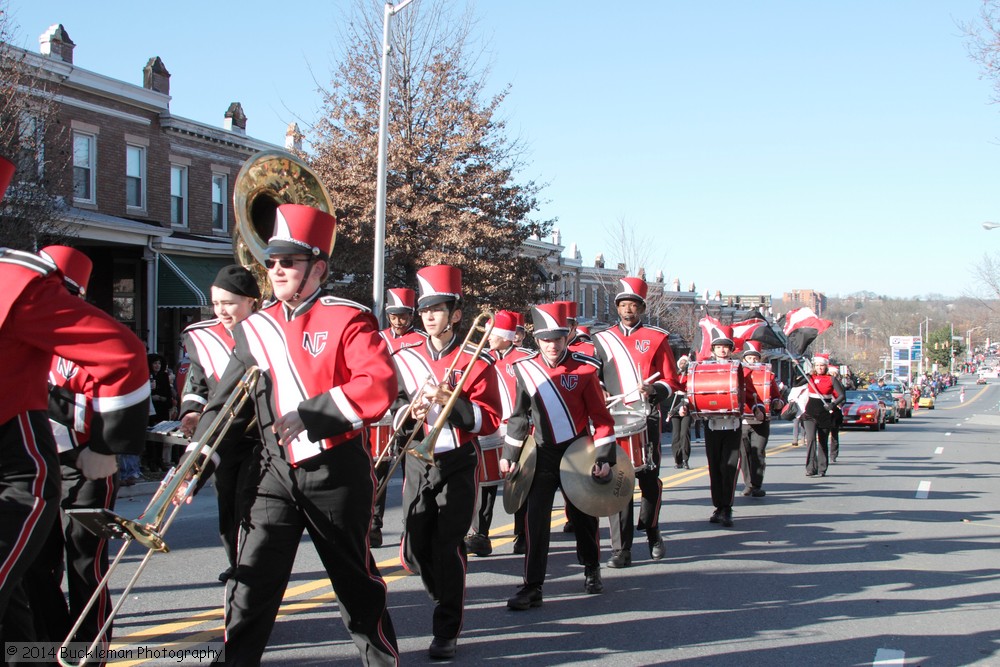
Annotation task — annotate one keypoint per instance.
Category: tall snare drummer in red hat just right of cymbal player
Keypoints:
(631, 352)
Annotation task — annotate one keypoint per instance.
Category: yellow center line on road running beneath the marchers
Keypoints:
(392, 570)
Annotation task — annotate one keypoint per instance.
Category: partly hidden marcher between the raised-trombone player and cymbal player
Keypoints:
(504, 353)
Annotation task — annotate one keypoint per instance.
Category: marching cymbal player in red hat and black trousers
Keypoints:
(559, 393)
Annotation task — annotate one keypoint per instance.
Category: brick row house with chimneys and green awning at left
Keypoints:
(146, 194)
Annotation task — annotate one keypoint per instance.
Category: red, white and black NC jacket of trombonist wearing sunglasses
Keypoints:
(324, 359)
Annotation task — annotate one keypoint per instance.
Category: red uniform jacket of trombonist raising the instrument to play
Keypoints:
(477, 410)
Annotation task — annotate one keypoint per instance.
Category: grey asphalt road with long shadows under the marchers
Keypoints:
(890, 559)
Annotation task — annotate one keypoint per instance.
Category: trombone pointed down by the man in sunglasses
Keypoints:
(149, 532)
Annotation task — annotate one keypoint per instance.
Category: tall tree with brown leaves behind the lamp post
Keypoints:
(452, 193)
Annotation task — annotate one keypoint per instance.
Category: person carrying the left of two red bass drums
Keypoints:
(722, 437)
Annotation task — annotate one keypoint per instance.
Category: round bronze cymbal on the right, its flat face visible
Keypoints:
(590, 496)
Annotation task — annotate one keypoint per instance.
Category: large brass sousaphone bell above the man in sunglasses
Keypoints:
(266, 181)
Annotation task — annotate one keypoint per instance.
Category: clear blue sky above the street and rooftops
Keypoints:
(757, 146)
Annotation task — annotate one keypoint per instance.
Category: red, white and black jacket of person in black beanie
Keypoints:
(210, 346)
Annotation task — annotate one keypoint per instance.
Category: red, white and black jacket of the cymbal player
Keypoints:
(563, 402)
